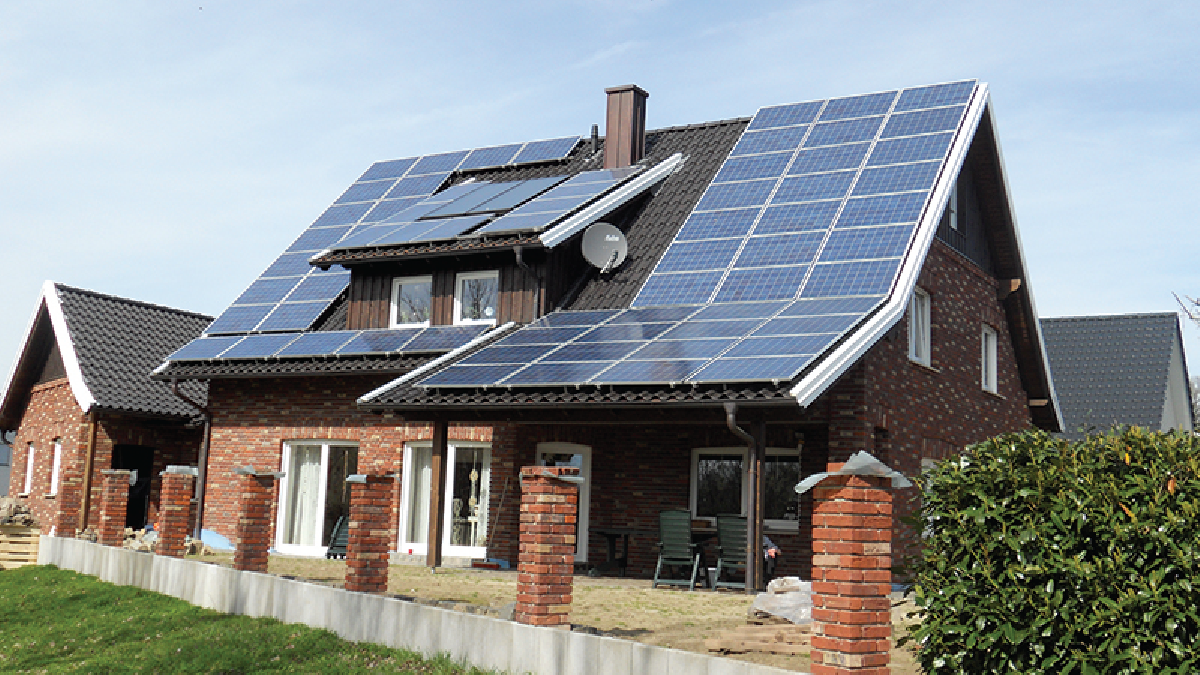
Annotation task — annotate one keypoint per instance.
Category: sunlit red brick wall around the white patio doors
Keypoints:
(253, 419)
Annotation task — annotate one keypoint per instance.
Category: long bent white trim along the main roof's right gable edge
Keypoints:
(862, 339)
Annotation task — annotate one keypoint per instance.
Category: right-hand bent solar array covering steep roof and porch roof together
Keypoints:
(800, 236)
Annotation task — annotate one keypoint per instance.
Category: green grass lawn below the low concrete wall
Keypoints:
(53, 622)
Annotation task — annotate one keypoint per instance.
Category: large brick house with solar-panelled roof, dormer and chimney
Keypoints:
(830, 277)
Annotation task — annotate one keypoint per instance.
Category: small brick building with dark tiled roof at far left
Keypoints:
(81, 401)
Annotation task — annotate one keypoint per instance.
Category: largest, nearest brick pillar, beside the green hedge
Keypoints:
(851, 576)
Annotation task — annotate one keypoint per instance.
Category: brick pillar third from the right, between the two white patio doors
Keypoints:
(367, 549)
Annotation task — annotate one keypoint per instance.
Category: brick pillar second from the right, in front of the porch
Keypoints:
(549, 515)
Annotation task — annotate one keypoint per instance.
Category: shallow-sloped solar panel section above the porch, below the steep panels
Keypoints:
(717, 343)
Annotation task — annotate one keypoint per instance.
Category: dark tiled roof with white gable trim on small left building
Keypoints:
(109, 347)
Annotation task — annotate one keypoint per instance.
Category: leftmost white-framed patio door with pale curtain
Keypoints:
(314, 494)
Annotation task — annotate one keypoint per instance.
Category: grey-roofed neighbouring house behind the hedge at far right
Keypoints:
(1123, 369)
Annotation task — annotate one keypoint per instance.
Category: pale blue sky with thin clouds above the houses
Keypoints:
(169, 152)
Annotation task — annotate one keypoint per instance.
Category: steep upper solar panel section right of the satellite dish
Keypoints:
(817, 200)
